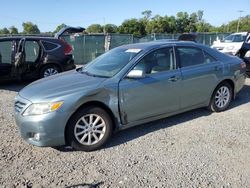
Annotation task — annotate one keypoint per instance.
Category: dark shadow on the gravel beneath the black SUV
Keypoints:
(13, 85)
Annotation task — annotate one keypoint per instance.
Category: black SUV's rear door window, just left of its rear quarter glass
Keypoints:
(31, 51)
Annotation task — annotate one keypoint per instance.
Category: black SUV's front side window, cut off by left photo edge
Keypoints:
(5, 52)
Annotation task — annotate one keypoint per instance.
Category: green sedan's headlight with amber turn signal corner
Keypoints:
(42, 108)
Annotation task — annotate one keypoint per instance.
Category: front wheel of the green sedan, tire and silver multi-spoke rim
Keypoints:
(89, 129)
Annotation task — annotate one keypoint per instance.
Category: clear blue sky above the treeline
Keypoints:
(48, 14)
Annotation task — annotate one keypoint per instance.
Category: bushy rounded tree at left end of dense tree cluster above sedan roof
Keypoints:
(133, 26)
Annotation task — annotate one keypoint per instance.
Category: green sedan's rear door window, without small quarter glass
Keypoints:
(190, 56)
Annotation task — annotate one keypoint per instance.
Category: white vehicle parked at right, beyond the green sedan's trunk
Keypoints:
(232, 43)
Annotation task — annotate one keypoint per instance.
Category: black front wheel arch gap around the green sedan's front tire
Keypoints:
(94, 104)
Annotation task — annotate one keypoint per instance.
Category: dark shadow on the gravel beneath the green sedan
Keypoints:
(132, 133)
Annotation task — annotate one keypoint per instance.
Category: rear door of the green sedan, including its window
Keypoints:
(199, 72)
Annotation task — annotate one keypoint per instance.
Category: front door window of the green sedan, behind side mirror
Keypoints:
(157, 61)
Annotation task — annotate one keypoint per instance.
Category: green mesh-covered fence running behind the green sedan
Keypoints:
(89, 46)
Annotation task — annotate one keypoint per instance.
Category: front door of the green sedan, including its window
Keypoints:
(155, 94)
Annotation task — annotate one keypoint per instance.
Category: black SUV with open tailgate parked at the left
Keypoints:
(32, 57)
